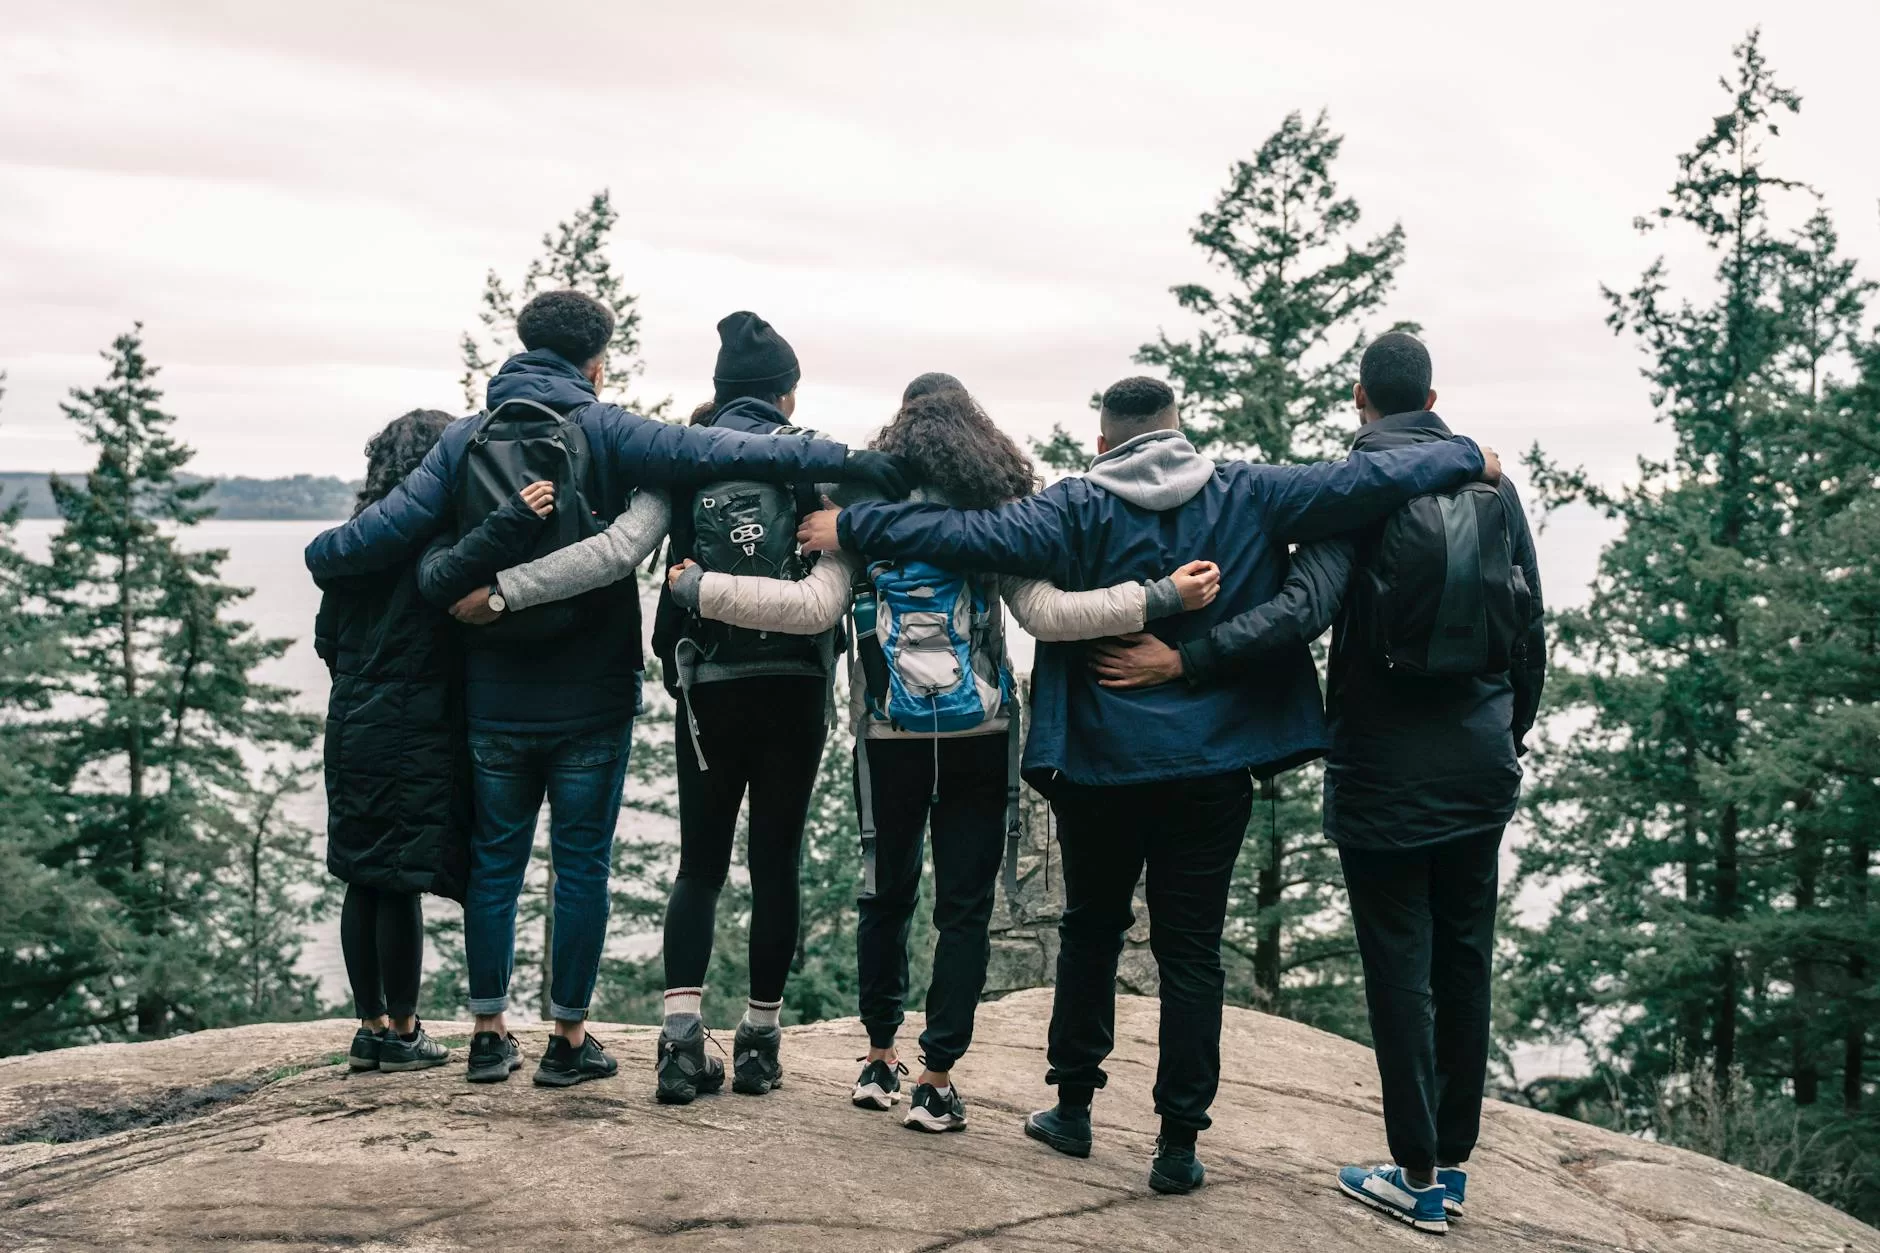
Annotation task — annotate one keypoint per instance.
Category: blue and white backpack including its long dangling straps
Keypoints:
(932, 648)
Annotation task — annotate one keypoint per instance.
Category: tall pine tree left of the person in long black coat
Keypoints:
(161, 716)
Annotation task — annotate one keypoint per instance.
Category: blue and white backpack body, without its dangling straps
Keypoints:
(943, 650)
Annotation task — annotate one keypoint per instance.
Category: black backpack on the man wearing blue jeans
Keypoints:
(516, 445)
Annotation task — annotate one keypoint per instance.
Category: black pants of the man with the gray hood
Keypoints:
(1189, 834)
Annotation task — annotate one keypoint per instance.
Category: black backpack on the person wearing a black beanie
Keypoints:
(747, 528)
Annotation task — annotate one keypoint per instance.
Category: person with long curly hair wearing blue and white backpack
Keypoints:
(937, 725)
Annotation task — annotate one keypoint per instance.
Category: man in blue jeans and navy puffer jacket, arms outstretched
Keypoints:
(554, 720)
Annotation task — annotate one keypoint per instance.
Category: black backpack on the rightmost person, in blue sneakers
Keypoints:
(1439, 592)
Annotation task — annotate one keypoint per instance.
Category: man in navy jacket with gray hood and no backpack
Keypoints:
(1155, 778)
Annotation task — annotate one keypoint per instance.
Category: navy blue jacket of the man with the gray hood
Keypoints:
(1082, 535)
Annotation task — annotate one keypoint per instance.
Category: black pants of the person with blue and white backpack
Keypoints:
(967, 808)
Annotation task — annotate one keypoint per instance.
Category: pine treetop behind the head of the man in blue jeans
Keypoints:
(574, 255)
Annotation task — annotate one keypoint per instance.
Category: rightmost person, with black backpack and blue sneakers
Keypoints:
(1439, 656)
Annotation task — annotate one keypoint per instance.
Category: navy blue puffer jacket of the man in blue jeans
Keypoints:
(582, 684)
